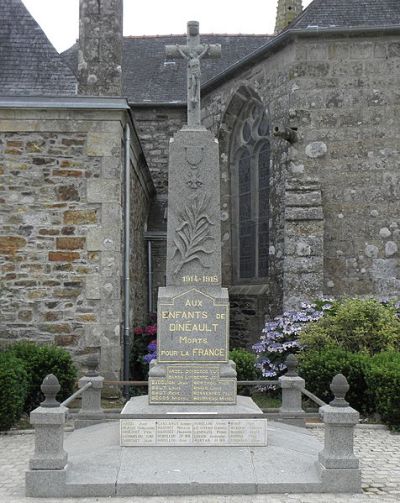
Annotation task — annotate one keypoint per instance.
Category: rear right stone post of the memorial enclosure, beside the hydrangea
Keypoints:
(291, 384)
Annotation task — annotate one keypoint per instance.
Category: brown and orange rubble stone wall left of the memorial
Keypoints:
(61, 230)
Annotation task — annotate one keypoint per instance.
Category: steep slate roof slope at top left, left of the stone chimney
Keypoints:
(29, 64)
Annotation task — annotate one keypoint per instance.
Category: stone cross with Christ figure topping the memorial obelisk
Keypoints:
(193, 51)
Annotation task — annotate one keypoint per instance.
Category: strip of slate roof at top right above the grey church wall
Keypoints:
(349, 14)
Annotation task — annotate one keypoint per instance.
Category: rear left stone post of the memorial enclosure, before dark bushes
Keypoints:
(91, 397)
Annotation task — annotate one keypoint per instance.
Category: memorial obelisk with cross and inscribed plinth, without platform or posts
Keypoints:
(192, 367)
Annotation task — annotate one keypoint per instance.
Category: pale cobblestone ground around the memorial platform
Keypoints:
(378, 450)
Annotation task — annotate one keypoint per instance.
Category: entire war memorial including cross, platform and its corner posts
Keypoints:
(192, 434)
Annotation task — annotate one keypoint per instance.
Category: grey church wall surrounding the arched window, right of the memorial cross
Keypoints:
(335, 219)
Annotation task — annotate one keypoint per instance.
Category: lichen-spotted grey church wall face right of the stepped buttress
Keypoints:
(346, 101)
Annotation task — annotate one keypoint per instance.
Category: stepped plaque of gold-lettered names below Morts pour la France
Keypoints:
(192, 383)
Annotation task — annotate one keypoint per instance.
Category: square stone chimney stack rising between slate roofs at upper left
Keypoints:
(100, 47)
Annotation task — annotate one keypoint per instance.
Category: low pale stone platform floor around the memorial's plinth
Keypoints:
(99, 466)
